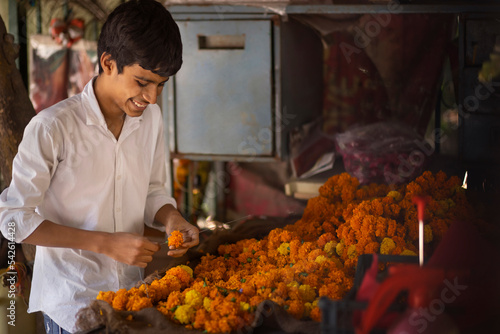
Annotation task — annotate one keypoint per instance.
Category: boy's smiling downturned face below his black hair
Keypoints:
(134, 89)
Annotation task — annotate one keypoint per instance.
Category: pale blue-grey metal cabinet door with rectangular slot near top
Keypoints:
(223, 92)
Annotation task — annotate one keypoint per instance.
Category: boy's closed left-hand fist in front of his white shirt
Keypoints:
(129, 248)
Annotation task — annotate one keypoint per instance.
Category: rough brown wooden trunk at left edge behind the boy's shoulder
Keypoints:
(16, 109)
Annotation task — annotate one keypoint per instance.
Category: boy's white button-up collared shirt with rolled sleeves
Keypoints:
(71, 170)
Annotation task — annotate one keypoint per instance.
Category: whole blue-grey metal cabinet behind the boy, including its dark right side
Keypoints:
(246, 80)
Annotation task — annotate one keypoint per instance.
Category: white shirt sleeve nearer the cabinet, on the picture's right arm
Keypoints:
(157, 192)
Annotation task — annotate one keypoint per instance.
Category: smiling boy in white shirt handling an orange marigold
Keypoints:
(90, 171)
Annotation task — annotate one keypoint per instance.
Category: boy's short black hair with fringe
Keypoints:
(142, 32)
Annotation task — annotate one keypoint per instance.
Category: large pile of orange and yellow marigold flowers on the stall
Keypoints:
(297, 265)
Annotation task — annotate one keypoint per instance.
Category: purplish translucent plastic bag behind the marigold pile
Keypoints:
(384, 152)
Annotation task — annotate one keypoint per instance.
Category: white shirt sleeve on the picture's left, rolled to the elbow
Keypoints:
(33, 166)
